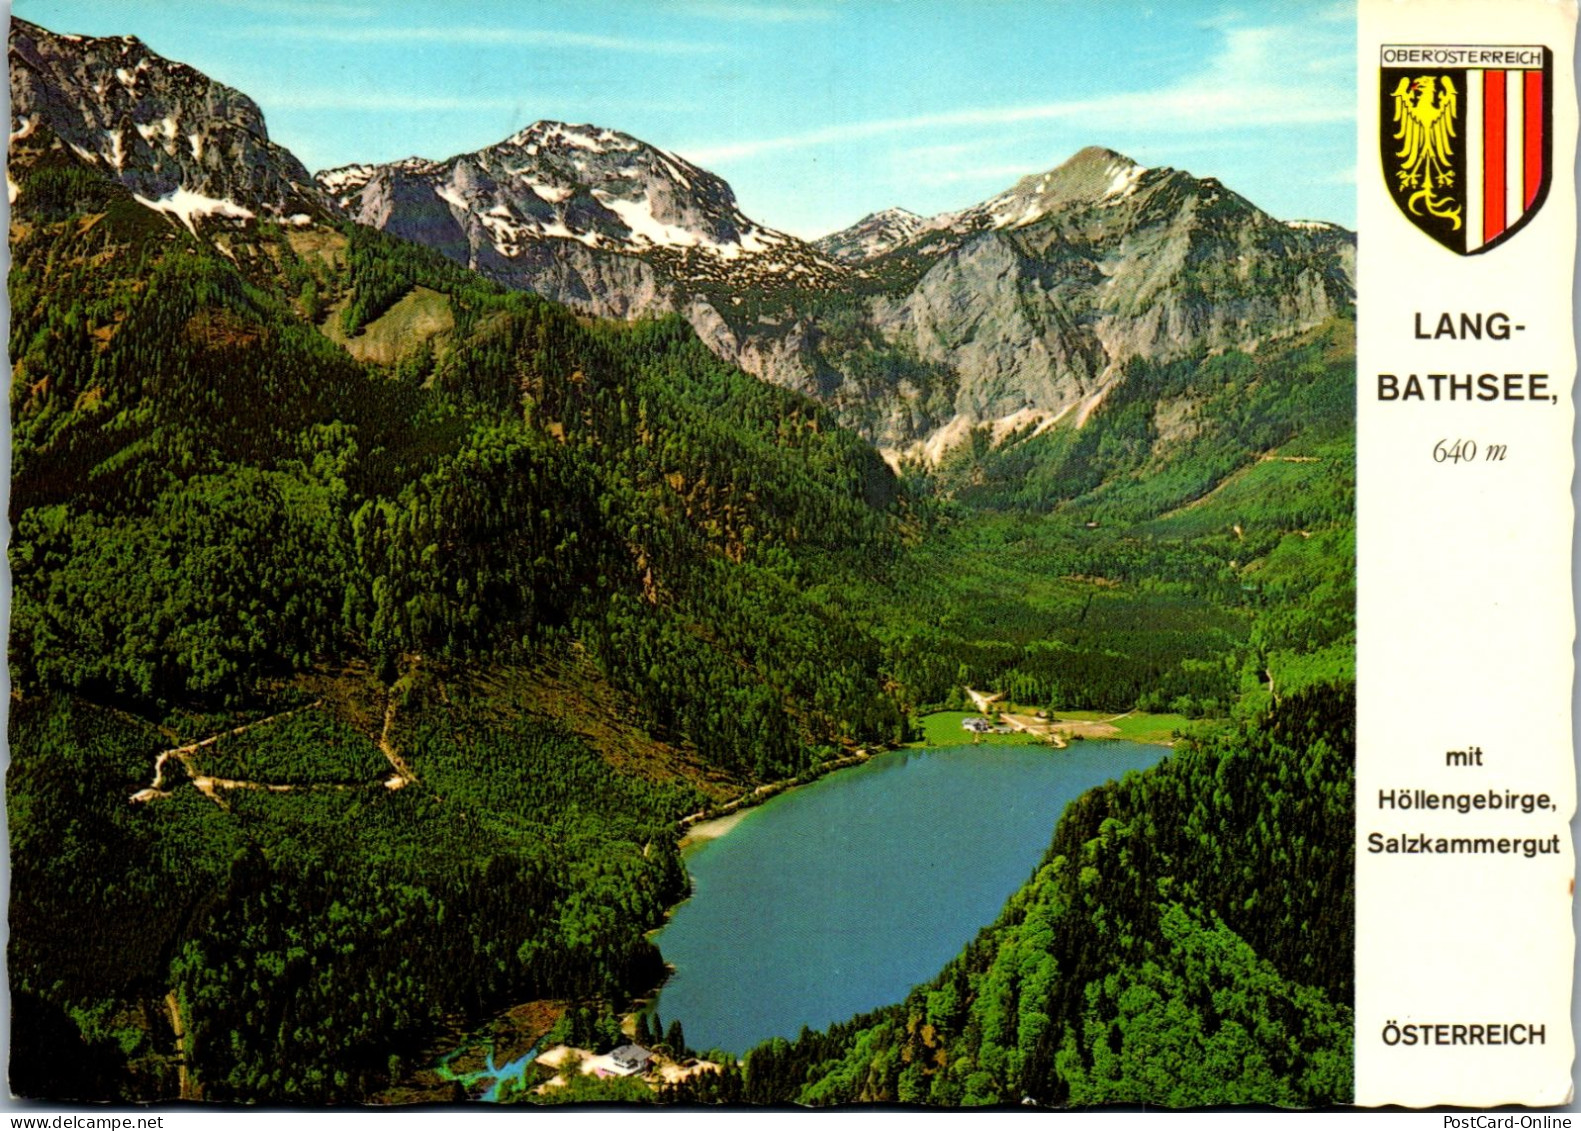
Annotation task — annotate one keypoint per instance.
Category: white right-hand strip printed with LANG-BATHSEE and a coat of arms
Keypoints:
(1462, 127)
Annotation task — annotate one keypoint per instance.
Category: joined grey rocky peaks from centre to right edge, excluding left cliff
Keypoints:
(1013, 312)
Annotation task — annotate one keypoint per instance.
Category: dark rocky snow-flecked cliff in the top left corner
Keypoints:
(178, 140)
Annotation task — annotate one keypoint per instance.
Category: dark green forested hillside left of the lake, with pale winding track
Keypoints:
(222, 516)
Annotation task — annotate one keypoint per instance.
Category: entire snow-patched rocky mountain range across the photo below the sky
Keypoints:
(1011, 316)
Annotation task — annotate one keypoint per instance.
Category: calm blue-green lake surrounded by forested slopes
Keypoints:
(839, 898)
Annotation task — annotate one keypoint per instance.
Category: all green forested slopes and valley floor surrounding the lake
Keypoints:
(374, 627)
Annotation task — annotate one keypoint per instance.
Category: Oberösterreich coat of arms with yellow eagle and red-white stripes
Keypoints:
(1468, 140)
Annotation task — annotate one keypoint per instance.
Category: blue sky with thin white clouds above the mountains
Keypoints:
(817, 112)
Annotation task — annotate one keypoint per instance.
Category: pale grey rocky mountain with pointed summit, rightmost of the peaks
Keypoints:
(1038, 298)
